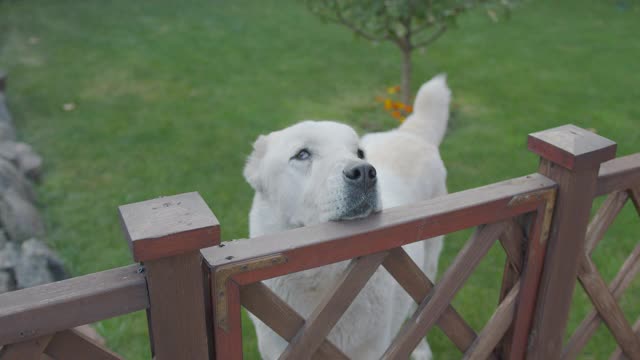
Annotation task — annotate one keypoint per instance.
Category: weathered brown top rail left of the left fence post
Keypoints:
(46, 309)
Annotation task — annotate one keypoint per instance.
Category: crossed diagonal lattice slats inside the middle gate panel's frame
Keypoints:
(310, 336)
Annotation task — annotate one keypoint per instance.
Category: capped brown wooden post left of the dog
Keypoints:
(166, 235)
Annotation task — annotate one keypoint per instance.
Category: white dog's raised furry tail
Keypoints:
(430, 110)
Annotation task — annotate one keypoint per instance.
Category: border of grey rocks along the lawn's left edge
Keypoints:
(24, 260)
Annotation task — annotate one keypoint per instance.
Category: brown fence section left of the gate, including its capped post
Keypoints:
(165, 236)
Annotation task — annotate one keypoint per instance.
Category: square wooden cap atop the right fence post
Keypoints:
(572, 147)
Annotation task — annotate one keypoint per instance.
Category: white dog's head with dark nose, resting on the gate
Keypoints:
(312, 172)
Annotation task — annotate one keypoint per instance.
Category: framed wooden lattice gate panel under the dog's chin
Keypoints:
(238, 267)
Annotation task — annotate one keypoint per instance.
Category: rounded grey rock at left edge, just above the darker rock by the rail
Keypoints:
(19, 218)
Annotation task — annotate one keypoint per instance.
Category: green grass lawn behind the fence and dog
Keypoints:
(170, 95)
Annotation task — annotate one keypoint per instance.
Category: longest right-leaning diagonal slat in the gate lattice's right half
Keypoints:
(431, 308)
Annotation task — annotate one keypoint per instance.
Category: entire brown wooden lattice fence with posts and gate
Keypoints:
(193, 287)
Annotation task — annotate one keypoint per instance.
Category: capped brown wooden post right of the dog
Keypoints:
(570, 156)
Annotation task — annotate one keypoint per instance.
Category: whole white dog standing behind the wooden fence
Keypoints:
(315, 172)
